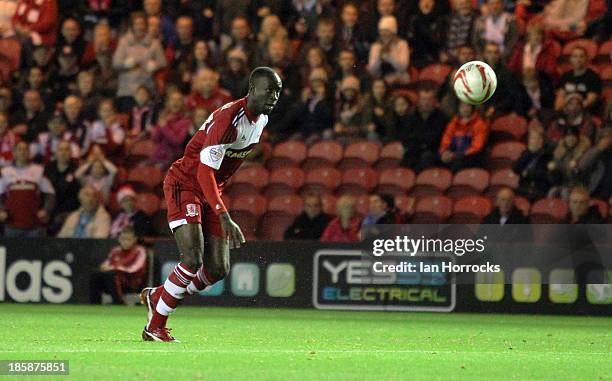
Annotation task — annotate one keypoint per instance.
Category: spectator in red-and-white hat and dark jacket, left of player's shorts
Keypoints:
(130, 215)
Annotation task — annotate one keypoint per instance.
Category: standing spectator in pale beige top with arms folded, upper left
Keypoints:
(136, 59)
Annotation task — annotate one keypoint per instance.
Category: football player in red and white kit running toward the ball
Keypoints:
(196, 212)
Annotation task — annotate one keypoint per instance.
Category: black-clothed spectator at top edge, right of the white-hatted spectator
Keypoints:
(426, 33)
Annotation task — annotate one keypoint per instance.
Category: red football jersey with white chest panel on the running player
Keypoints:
(222, 143)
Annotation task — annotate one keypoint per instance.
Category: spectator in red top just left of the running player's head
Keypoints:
(206, 91)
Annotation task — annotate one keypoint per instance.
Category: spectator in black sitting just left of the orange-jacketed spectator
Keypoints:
(422, 132)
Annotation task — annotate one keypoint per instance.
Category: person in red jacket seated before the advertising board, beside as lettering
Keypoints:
(124, 270)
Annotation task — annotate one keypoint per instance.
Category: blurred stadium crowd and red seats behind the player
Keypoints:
(98, 97)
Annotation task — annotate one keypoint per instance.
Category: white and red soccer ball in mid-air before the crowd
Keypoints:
(475, 82)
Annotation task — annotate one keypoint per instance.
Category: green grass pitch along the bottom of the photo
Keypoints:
(103, 343)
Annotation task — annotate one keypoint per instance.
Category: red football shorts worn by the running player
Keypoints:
(186, 206)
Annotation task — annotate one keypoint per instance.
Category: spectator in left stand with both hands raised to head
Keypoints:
(98, 173)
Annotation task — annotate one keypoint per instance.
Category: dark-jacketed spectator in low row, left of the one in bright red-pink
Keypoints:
(311, 223)
